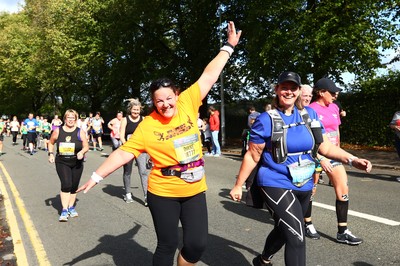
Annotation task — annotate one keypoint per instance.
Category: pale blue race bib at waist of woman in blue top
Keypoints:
(301, 172)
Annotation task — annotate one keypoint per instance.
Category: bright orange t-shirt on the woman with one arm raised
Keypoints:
(170, 143)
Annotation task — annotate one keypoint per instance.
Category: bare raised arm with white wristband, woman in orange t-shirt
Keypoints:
(214, 68)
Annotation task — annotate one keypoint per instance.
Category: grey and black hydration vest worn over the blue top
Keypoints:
(279, 133)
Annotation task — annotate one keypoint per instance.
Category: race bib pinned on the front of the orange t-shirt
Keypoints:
(187, 149)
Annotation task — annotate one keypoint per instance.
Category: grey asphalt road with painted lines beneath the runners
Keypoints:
(109, 231)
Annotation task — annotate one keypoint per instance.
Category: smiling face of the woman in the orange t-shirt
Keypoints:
(164, 100)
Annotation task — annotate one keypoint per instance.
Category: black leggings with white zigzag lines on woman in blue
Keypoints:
(287, 208)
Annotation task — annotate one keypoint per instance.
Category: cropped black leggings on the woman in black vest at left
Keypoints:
(70, 176)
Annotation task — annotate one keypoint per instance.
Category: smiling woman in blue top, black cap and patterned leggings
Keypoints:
(286, 186)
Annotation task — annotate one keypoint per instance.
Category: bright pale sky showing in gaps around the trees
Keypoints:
(14, 5)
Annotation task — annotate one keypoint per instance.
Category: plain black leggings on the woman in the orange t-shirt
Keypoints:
(166, 213)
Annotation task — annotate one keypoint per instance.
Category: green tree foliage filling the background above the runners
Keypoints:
(92, 55)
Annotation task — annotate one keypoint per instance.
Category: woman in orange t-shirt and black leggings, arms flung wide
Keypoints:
(177, 185)
